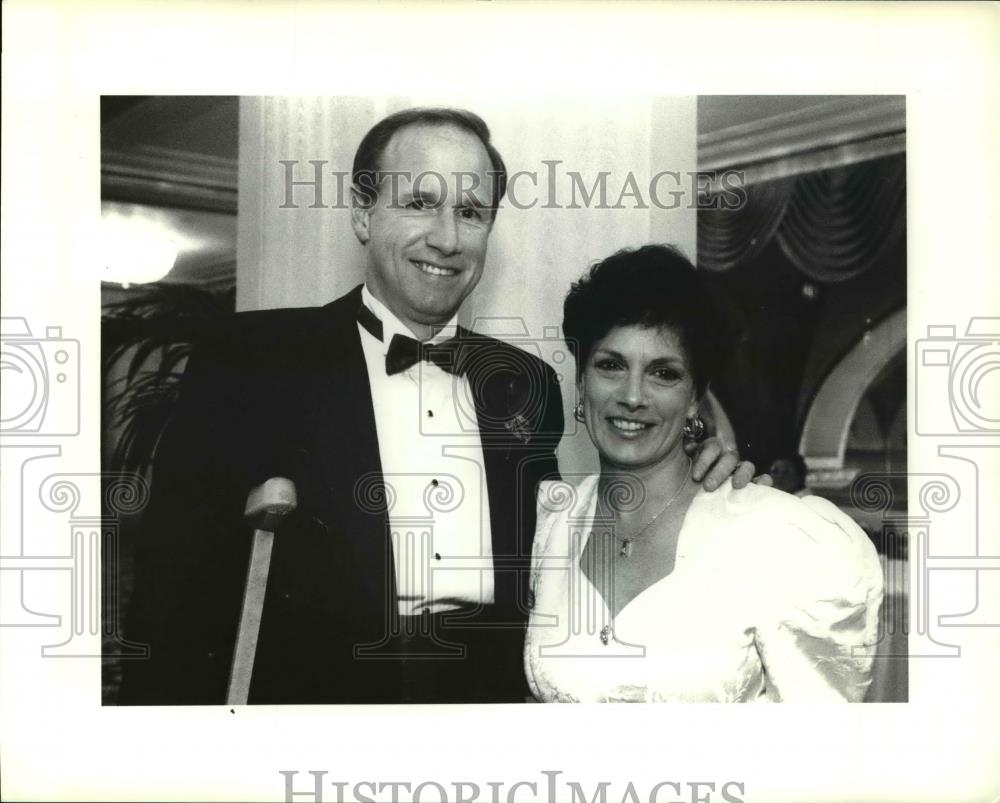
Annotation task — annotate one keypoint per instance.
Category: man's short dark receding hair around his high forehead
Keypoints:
(366, 172)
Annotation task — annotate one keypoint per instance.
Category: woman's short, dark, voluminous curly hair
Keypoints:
(652, 286)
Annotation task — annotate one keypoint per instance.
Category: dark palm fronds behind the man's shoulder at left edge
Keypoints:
(145, 343)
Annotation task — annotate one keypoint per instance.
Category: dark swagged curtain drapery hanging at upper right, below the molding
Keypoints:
(831, 224)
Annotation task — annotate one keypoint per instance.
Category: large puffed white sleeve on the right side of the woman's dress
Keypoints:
(818, 623)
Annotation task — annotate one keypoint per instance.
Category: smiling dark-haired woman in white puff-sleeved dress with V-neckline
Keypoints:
(644, 586)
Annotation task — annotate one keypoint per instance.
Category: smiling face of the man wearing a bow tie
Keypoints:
(427, 232)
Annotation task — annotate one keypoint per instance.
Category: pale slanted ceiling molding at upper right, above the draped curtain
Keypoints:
(841, 131)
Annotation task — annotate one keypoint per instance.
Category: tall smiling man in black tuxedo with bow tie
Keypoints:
(416, 447)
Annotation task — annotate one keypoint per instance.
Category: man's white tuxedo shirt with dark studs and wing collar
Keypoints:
(432, 462)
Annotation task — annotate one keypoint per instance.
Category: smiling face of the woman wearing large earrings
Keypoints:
(637, 390)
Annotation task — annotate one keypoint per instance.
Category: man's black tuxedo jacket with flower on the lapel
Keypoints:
(286, 393)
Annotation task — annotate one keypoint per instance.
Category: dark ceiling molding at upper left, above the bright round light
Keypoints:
(170, 177)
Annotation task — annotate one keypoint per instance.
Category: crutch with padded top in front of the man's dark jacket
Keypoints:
(267, 505)
